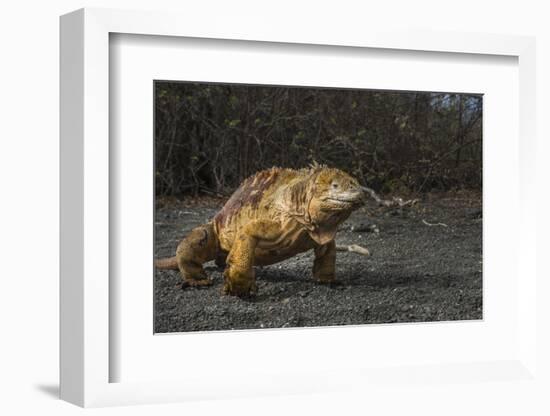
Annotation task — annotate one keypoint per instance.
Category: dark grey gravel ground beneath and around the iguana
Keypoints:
(416, 272)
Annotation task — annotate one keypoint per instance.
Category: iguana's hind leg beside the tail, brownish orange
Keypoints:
(197, 248)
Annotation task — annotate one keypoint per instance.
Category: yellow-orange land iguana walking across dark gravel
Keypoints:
(272, 216)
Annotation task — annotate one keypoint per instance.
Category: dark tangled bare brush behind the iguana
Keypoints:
(209, 137)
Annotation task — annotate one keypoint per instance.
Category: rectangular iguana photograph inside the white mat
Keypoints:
(285, 206)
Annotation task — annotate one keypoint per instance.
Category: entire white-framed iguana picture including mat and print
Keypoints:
(277, 213)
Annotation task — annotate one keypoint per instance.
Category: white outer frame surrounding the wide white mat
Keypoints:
(85, 165)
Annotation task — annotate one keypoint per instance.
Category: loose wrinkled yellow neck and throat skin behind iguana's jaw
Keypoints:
(299, 202)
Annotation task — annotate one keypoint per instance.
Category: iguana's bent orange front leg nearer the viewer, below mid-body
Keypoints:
(239, 276)
